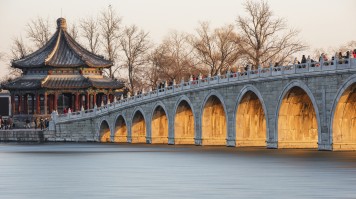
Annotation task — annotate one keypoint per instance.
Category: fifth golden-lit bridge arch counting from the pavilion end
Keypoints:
(184, 121)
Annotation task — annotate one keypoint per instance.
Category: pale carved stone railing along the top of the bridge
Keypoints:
(303, 68)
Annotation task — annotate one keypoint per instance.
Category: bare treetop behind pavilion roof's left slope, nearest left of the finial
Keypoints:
(39, 31)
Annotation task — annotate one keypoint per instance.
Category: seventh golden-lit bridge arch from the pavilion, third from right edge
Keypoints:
(250, 108)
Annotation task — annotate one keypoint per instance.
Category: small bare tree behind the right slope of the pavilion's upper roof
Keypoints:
(90, 31)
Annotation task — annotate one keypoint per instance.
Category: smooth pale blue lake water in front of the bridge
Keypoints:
(158, 171)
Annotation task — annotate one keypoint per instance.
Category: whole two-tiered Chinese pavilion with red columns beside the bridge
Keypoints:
(60, 75)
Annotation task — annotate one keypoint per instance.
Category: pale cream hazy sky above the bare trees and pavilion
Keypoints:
(322, 24)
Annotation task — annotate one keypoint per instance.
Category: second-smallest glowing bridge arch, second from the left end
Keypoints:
(120, 128)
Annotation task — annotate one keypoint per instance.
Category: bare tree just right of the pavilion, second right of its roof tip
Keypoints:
(134, 45)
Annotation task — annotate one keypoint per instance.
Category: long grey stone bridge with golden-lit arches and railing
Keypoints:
(311, 105)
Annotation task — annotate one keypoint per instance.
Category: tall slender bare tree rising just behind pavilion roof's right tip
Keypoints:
(110, 24)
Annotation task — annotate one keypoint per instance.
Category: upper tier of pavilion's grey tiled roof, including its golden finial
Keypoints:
(62, 51)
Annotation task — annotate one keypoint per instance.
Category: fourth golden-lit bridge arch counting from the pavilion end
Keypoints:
(159, 124)
